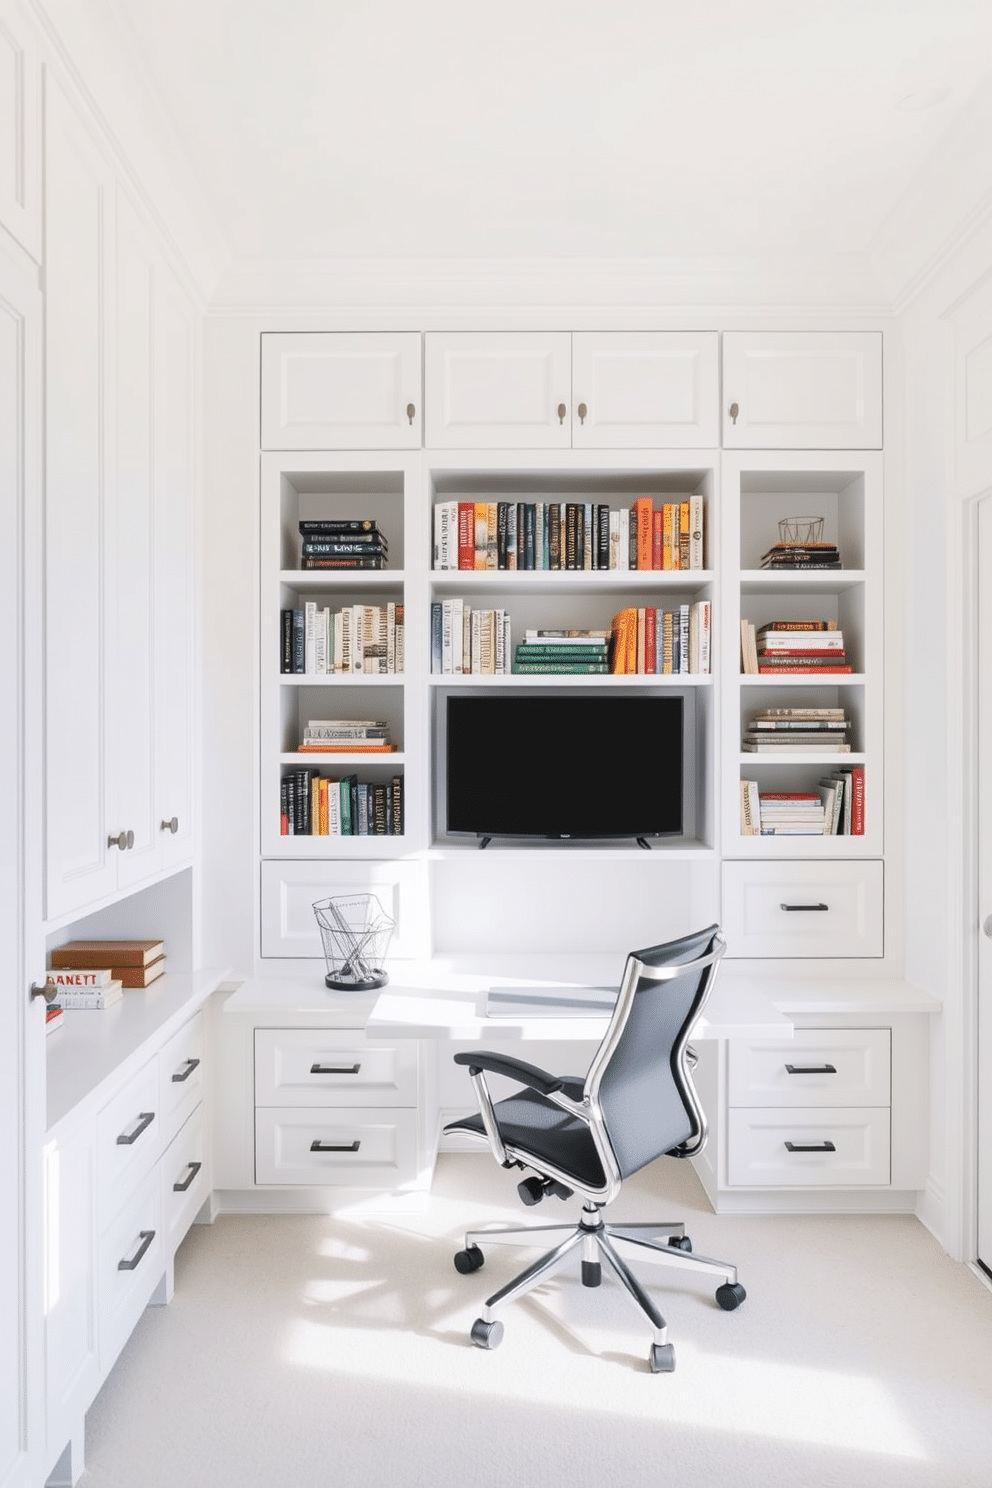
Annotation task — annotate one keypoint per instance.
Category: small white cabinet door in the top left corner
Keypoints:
(20, 133)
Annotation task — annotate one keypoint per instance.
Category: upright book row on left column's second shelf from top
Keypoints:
(359, 639)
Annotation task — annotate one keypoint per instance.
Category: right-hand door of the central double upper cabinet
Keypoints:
(645, 391)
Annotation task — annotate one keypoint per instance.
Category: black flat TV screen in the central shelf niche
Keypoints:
(557, 766)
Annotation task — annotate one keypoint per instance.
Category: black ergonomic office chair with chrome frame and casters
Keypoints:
(588, 1135)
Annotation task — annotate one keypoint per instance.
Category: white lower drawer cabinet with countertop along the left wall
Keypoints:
(127, 1170)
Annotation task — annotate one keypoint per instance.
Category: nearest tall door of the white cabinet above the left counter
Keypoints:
(80, 748)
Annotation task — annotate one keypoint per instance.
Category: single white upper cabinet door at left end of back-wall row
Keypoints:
(341, 392)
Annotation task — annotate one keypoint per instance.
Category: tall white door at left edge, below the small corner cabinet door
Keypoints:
(22, 950)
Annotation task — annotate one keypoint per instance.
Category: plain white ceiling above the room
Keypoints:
(558, 129)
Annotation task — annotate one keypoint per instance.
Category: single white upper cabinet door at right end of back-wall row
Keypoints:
(802, 391)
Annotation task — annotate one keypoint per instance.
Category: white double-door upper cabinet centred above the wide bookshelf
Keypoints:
(570, 391)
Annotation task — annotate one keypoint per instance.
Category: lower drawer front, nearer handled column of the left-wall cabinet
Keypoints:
(132, 1261)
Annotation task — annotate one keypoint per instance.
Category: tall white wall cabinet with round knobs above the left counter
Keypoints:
(120, 450)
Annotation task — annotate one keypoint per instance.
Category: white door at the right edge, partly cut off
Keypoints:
(985, 886)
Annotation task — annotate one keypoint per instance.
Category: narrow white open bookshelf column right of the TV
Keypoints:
(759, 495)
